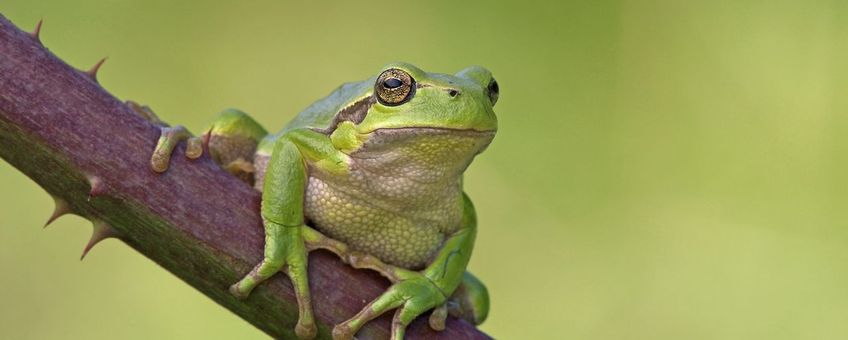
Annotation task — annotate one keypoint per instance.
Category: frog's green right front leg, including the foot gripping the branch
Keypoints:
(417, 292)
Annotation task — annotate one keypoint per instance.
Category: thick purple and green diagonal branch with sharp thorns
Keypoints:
(90, 151)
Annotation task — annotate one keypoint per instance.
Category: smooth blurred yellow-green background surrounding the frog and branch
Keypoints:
(663, 170)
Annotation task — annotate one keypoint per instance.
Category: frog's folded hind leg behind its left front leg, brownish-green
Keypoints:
(233, 138)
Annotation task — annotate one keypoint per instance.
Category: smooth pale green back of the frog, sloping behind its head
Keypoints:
(320, 115)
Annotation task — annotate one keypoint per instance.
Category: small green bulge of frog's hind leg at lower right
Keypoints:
(470, 301)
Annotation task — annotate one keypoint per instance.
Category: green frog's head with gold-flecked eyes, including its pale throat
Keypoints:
(430, 122)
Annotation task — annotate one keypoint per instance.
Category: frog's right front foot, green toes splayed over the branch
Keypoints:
(411, 297)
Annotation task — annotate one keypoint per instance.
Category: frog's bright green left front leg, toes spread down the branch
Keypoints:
(287, 238)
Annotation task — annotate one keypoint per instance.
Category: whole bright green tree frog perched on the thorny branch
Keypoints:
(374, 179)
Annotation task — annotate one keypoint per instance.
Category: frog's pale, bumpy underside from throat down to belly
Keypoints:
(403, 194)
